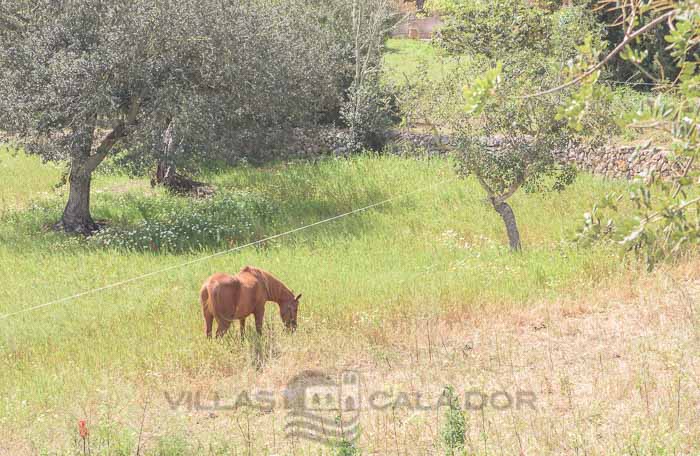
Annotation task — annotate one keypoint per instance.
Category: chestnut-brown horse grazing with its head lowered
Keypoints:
(226, 298)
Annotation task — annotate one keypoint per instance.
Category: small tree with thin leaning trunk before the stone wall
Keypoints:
(508, 142)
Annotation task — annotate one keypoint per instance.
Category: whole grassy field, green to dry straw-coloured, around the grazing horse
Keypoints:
(416, 294)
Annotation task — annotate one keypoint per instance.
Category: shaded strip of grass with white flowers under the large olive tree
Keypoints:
(171, 224)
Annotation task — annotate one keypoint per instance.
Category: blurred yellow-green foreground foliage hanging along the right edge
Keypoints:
(667, 218)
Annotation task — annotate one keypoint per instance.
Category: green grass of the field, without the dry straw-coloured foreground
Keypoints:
(432, 253)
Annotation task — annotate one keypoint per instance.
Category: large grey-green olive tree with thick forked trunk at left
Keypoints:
(81, 79)
